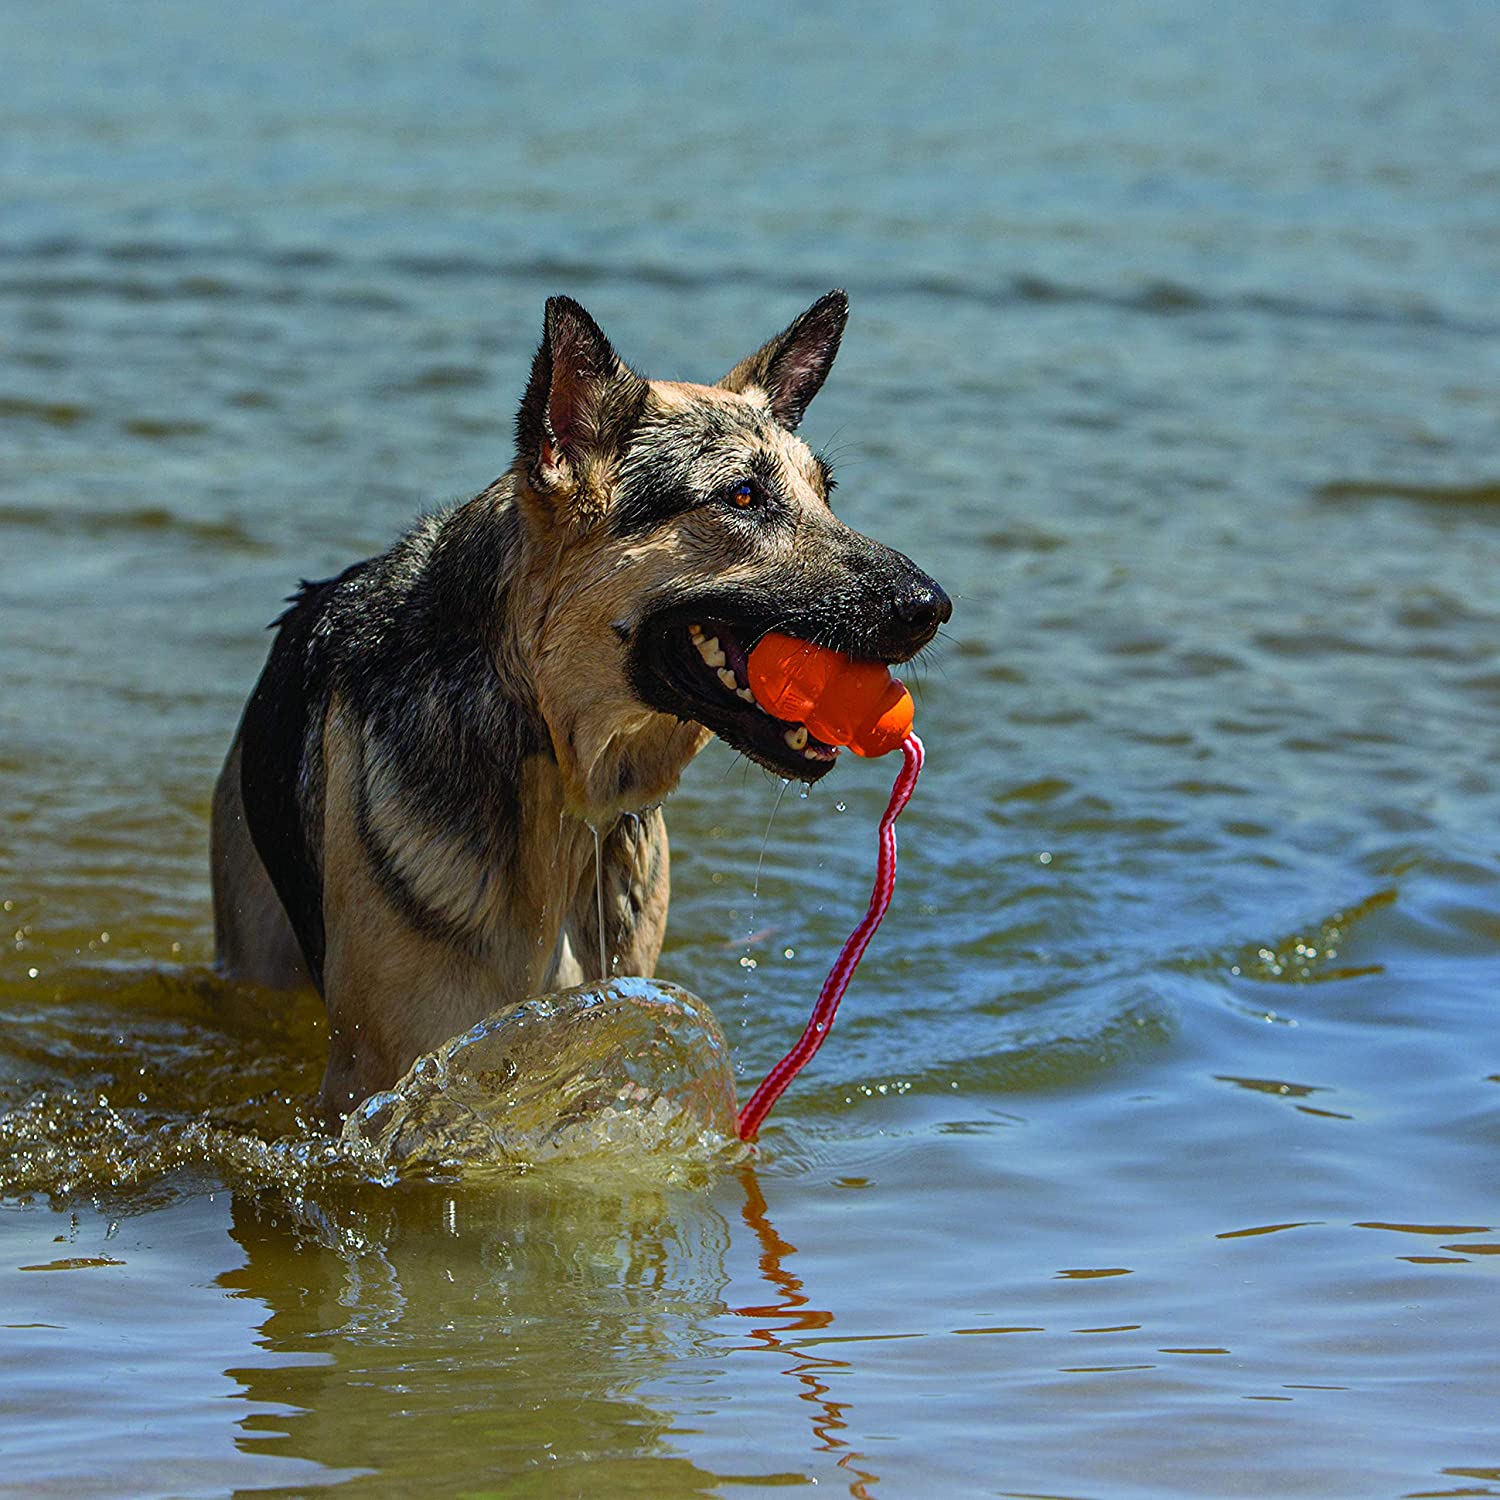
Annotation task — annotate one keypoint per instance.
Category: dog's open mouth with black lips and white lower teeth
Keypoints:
(700, 670)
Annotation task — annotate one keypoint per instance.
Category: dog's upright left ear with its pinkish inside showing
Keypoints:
(578, 394)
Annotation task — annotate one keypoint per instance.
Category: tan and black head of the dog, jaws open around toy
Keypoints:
(668, 529)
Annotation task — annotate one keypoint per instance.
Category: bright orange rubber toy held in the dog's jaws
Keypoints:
(841, 700)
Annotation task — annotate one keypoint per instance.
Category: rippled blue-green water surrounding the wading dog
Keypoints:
(1156, 1150)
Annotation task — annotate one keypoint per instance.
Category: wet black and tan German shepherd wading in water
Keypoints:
(409, 812)
